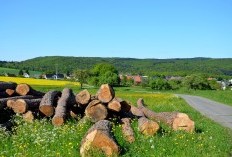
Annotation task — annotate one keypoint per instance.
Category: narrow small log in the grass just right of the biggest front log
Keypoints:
(127, 130)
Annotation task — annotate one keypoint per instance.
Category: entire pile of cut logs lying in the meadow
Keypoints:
(99, 109)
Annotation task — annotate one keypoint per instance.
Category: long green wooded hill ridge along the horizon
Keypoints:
(209, 66)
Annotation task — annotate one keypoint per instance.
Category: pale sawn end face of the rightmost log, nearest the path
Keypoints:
(183, 122)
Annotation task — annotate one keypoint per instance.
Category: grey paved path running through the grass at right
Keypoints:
(216, 111)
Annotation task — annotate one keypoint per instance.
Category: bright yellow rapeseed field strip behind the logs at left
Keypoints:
(32, 81)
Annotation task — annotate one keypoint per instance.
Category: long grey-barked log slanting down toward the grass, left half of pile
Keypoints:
(64, 103)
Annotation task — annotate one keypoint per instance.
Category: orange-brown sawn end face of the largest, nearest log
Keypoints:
(98, 139)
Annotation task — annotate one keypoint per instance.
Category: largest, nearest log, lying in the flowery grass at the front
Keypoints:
(99, 136)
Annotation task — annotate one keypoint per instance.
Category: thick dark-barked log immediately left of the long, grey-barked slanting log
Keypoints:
(48, 102)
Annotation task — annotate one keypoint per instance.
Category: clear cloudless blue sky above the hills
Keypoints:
(115, 28)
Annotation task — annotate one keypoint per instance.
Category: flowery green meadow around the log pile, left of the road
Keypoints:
(41, 138)
